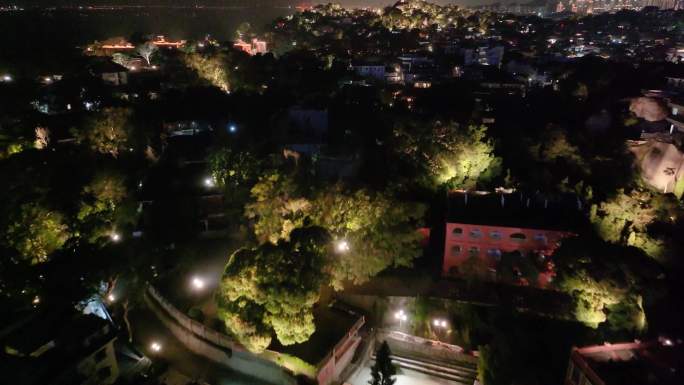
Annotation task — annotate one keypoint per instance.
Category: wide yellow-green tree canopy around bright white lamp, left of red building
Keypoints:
(379, 230)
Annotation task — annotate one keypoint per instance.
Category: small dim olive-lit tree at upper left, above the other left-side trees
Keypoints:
(108, 131)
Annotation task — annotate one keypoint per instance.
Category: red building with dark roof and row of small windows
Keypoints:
(489, 228)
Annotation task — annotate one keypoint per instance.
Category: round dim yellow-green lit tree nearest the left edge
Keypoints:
(36, 232)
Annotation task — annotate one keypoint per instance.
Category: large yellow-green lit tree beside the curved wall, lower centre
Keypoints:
(274, 288)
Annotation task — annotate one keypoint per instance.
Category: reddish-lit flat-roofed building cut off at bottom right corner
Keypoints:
(635, 363)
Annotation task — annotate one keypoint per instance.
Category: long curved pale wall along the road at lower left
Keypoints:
(215, 346)
